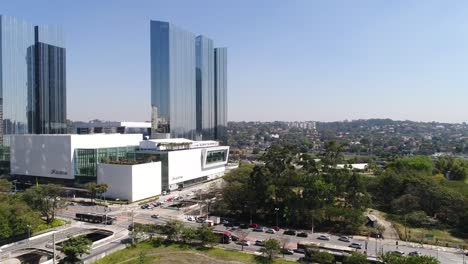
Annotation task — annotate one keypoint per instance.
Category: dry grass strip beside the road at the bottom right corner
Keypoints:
(416, 234)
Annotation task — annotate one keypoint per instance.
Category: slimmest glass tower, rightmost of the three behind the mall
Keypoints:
(220, 94)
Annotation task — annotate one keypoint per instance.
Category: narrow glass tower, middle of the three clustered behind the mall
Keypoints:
(205, 88)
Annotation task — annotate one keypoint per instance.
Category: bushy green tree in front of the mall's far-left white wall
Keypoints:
(46, 199)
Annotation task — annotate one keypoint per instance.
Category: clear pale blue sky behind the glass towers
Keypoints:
(288, 60)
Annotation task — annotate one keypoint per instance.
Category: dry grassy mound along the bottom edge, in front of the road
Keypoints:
(148, 253)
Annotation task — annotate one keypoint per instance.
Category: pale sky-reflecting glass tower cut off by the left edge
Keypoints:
(16, 75)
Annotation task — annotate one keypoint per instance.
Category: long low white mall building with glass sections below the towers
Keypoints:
(132, 168)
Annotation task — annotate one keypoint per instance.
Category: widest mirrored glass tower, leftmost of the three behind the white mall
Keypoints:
(173, 86)
